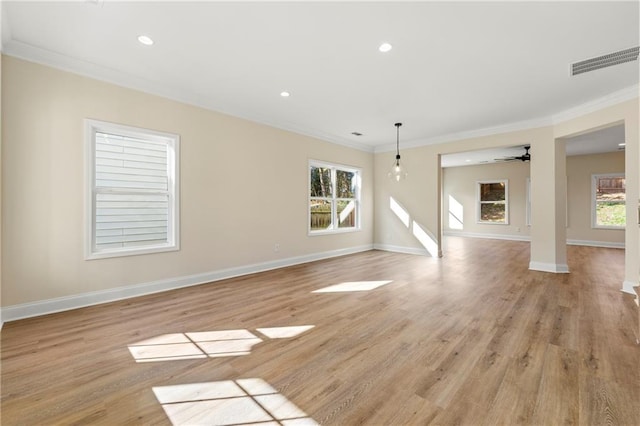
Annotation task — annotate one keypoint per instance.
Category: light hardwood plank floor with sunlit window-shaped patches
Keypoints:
(473, 338)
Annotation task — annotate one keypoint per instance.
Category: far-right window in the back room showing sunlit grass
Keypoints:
(609, 199)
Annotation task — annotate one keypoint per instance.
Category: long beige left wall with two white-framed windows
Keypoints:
(230, 169)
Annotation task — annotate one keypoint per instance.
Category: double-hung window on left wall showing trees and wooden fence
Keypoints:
(334, 198)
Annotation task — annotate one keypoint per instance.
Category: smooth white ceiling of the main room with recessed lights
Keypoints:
(455, 67)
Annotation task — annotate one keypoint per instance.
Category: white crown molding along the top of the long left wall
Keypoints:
(87, 69)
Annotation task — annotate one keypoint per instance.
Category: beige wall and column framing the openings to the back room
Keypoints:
(420, 194)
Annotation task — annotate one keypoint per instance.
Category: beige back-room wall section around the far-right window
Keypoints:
(579, 171)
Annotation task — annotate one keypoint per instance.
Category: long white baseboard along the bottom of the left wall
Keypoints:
(43, 307)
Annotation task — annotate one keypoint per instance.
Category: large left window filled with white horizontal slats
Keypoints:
(132, 176)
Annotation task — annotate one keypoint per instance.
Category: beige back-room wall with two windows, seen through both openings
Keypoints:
(460, 183)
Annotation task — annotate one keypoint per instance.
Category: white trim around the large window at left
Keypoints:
(173, 231)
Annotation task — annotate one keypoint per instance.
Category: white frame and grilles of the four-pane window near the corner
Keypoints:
(334, 167)
